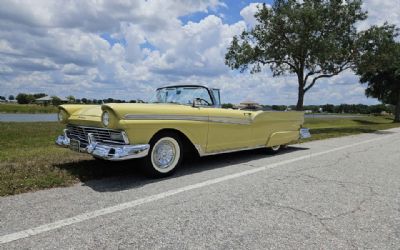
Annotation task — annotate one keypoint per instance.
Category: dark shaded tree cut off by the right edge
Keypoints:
(378, 64)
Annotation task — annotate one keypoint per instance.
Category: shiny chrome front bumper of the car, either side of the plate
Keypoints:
(109, 152)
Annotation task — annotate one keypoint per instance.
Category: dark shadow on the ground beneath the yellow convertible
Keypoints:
(106, 176)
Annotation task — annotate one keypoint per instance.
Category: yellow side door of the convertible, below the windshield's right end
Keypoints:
(228, 129)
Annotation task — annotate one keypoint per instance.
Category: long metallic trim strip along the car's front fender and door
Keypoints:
(217, 119)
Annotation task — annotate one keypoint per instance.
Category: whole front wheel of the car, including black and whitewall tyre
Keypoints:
(164, 156)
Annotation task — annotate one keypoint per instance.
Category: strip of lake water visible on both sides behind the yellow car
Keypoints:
(53, 117)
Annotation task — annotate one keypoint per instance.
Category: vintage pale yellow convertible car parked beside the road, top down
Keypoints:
(180, 118)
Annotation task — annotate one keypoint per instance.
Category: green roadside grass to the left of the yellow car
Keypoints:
(29, 160)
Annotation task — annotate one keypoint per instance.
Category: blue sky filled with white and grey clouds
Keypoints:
(126, 49)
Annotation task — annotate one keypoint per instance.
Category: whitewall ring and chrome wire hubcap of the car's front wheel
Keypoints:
(165, 154)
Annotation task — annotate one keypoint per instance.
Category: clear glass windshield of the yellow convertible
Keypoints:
(183, 95)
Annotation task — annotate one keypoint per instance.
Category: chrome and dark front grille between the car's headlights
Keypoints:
(100, 134)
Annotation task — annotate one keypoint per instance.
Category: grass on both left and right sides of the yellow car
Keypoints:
(29, 160)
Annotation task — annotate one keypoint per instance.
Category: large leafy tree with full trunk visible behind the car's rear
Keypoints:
(313, 39)
